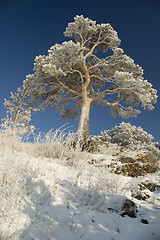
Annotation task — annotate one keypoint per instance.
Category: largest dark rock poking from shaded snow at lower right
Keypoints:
(129, 208)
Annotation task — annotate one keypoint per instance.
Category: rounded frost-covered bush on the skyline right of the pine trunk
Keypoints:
(131, 137)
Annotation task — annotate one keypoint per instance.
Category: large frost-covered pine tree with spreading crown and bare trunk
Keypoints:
(73, 76)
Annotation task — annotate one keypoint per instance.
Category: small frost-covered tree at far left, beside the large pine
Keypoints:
(18, 112)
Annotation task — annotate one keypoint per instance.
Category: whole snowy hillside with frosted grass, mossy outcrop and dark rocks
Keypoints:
(50, 190)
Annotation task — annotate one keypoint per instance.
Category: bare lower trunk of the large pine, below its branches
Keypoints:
(83, 128)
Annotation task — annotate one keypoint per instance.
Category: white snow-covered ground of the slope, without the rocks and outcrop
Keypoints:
(65, 197)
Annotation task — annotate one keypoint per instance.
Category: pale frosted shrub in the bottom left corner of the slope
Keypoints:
(15, 184)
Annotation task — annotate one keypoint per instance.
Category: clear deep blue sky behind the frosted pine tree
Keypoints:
(30, 27)
